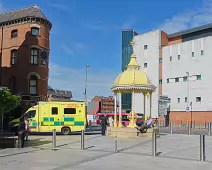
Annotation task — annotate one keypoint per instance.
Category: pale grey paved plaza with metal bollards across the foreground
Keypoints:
(176, 152)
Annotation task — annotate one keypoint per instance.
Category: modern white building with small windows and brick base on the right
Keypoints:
(179, 65)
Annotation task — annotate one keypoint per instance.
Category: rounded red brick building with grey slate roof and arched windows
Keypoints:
(24, 49)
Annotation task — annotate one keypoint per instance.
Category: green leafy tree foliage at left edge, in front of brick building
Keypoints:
(8, 101)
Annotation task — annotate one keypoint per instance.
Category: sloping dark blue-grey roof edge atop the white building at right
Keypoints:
(180, 33)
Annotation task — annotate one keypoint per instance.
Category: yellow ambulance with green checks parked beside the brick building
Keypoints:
(65, 117)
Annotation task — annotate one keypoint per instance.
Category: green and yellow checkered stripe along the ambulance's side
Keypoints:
(65, 121)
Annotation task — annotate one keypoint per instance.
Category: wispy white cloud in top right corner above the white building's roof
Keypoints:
(189, 18)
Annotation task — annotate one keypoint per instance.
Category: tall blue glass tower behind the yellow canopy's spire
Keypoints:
(127, 37)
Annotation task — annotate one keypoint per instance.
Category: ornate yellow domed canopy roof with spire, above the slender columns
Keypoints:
(133, 79)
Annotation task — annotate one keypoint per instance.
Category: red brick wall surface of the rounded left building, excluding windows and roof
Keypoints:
(23, 43)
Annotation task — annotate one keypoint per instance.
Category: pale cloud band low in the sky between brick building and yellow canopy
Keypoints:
(99, 82)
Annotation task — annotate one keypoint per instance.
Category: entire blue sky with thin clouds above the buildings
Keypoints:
(88, 32)
